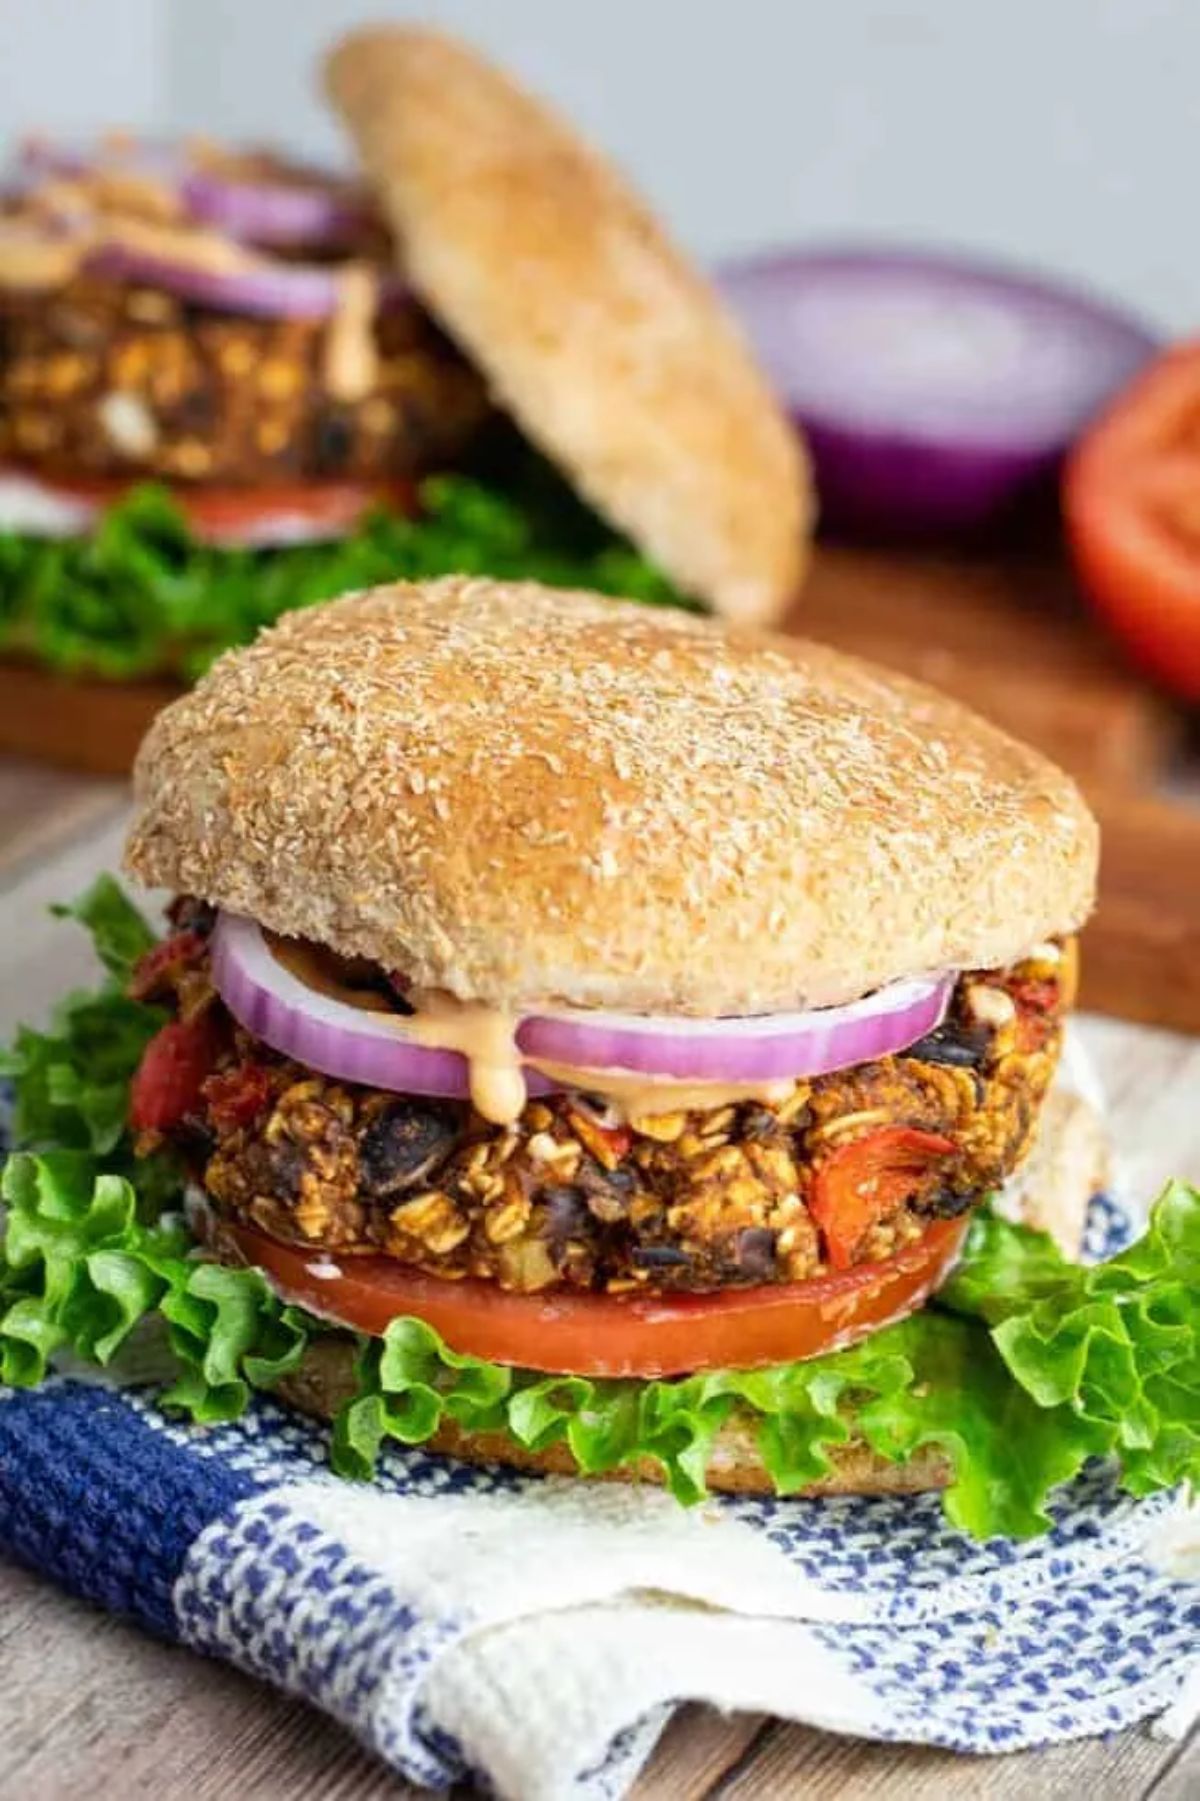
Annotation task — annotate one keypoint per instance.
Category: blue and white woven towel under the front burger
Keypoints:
(540, 1633)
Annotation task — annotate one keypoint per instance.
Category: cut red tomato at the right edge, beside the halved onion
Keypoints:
(1132, 509)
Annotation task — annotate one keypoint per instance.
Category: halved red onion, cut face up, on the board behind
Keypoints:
(934, 390)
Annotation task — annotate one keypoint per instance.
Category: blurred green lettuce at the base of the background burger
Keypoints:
(143, 597)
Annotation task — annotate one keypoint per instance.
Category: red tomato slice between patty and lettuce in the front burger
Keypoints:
(614, 1335)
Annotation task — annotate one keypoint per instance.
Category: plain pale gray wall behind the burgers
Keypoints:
(1062, 132)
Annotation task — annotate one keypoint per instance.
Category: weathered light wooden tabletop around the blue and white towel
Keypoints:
(93, 1708)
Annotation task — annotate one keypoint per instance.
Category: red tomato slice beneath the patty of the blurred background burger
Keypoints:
(275, 514)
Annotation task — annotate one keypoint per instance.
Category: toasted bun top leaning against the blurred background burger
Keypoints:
(597, 336)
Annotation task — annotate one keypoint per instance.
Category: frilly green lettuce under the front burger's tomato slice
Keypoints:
(1023, 1370)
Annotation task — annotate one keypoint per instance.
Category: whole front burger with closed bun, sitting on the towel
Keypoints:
(594, 1040)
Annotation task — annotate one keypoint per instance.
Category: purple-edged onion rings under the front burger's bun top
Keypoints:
(363, 1047)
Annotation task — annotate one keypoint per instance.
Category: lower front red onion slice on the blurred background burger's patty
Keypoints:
(264, 287)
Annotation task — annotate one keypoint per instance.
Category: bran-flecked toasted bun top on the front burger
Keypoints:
(516, 795)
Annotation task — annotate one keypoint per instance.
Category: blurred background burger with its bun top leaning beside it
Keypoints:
(232, 385)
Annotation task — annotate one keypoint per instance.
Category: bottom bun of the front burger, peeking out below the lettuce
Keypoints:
(325, 1380)
